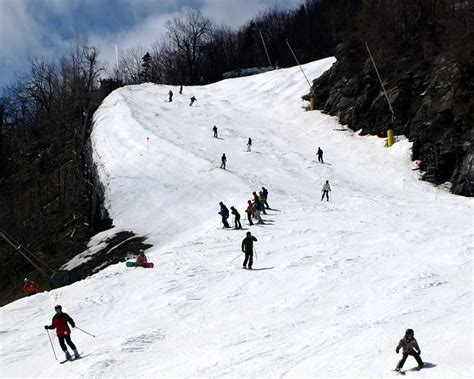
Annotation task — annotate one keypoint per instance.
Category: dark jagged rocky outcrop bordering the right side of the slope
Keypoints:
(433, 104)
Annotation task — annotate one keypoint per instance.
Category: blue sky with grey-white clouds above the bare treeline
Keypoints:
(45, 28)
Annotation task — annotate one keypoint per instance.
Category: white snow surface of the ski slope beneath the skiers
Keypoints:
(338, 282)
